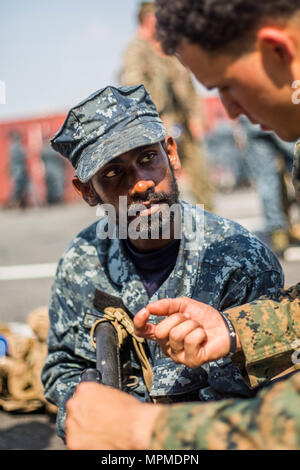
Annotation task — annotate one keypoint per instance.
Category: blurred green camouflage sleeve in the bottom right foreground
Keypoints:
(270, 421)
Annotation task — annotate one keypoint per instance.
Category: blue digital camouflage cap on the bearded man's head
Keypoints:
(108, 123)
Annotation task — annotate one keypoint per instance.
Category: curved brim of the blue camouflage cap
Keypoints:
(96, 155)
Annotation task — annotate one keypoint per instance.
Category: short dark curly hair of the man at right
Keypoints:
(215, 24)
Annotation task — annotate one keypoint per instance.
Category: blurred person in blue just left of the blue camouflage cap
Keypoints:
(54, 173)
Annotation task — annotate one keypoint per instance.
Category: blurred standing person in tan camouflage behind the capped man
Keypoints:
(176, 99)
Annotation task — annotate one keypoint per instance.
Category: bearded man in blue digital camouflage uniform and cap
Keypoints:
(119, 148)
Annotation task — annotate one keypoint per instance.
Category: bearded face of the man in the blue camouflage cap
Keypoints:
(141, 186)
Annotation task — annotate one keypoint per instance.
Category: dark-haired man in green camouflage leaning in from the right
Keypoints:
(268, 329)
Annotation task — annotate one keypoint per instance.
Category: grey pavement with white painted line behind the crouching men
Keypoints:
(31, 242)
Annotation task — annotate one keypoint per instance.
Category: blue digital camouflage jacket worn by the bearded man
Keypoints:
(225, 267)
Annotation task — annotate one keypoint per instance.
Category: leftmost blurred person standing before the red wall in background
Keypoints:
(19, 172)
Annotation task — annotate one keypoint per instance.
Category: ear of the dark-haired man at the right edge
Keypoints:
(278, 42)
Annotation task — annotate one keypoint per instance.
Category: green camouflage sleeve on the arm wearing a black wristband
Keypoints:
(269, 331)
